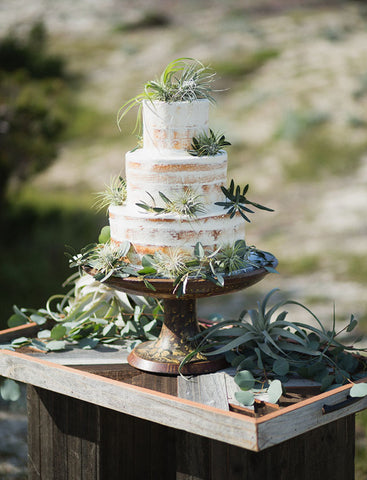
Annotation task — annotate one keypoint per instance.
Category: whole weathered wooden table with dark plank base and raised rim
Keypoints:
(93, 416)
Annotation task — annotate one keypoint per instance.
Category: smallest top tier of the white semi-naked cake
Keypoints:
(172, 126)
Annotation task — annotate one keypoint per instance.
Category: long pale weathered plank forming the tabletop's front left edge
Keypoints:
(164, 409)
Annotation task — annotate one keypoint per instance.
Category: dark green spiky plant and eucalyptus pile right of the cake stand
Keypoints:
(268, 350)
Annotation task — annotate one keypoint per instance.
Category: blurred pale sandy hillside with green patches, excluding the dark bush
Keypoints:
(297, 122)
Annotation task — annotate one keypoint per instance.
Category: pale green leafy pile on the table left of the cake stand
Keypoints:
(89, 314)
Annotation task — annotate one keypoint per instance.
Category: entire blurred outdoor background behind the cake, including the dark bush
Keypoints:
(292, 100)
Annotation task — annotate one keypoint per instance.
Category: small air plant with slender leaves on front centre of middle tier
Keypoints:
(186, 204)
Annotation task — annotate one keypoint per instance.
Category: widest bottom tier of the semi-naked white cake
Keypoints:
(148, 232)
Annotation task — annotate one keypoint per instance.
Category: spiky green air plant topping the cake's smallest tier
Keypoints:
(184, 79)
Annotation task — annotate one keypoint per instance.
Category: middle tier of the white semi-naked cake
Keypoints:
(171, 174)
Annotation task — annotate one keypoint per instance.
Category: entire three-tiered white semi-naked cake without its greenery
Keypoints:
(164, 166)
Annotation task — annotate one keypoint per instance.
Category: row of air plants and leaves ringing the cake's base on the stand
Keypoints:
(107, 259)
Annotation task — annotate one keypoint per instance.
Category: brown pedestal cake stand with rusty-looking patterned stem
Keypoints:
(180, 324)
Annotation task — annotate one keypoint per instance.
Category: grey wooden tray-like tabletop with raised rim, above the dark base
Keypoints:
(199, 405)
